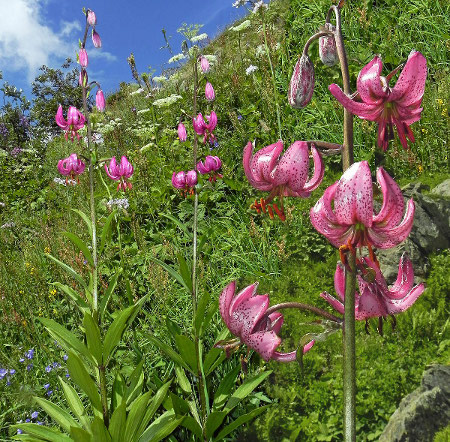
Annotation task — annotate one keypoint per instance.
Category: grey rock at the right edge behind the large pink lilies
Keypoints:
(430, 232)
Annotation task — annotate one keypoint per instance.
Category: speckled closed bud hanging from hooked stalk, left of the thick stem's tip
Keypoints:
(301, 86)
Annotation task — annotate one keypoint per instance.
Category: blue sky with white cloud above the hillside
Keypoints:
(37, 32)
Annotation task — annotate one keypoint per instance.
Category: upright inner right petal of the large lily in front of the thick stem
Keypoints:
(391, 211)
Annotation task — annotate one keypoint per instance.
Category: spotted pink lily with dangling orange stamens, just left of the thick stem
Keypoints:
(285, 176)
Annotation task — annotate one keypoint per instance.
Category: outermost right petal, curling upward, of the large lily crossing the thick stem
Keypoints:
(387, 237)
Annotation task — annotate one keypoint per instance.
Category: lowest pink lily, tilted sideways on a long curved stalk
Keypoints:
(244, 315)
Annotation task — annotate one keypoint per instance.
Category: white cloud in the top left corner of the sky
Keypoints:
(27, 42)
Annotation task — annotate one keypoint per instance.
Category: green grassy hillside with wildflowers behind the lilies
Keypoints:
(290, 260)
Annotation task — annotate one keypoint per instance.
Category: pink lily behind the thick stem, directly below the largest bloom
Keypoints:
(375, 298)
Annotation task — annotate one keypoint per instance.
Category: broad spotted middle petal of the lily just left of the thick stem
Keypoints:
(292, 169)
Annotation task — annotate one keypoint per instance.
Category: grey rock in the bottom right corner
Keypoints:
(424, 412)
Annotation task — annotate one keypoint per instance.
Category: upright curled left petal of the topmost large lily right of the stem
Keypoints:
(369, 84)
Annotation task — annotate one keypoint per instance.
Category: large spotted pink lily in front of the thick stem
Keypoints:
(352, 221)
